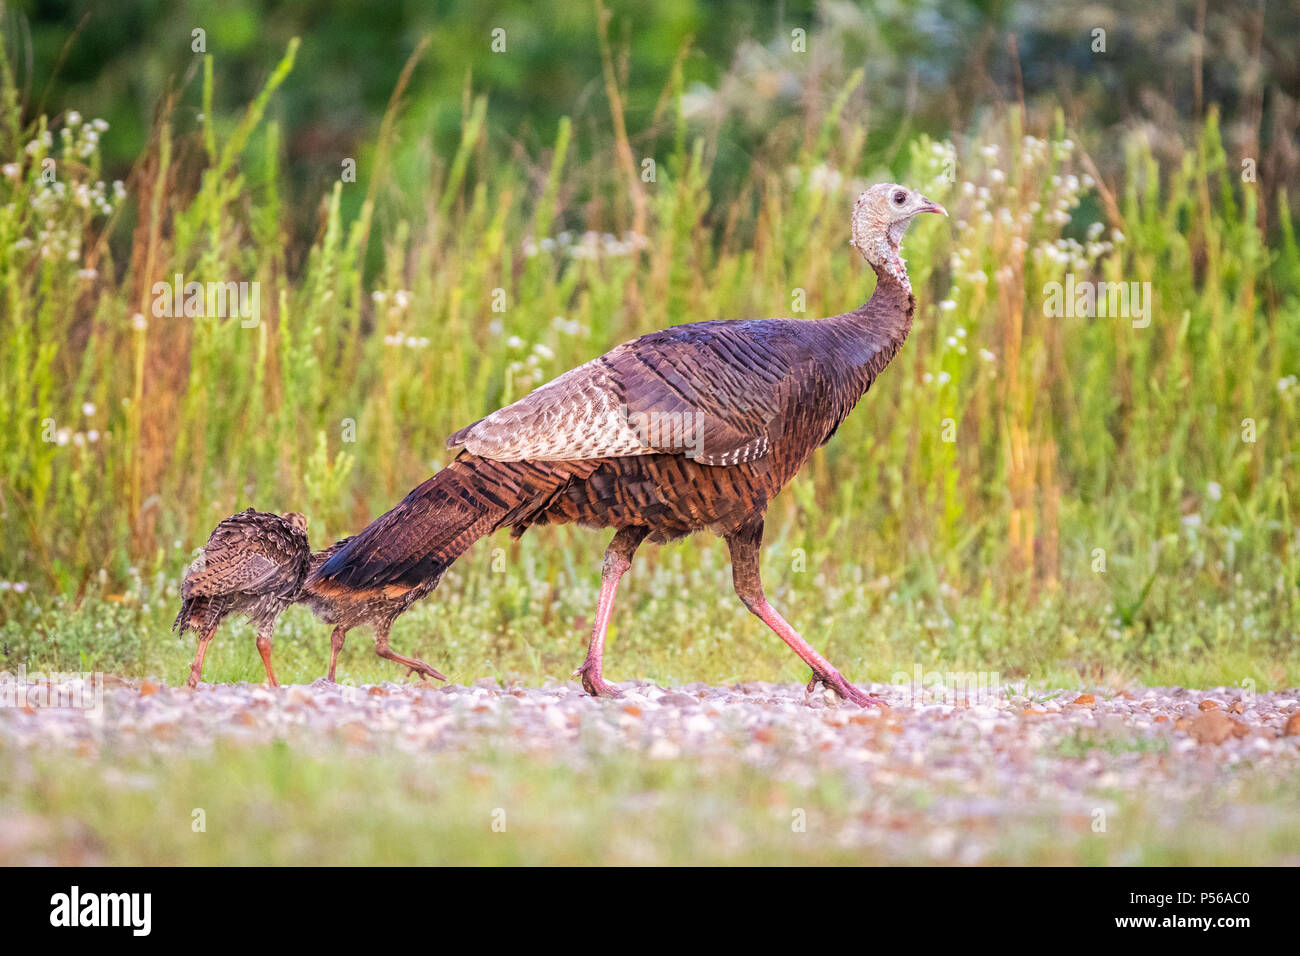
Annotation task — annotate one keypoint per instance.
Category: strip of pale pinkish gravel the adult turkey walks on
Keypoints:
(946, 768)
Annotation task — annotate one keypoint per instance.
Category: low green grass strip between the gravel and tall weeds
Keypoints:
(677, 629)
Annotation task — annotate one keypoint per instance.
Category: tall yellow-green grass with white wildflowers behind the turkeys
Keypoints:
(1008, 464)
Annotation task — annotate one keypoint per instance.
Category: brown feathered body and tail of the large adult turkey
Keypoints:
(769, 392)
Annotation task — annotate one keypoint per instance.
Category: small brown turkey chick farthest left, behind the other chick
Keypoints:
(254, 564)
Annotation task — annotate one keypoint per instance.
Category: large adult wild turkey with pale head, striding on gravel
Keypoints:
(692, 429)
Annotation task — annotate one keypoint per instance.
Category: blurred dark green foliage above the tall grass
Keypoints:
(929, 67)
